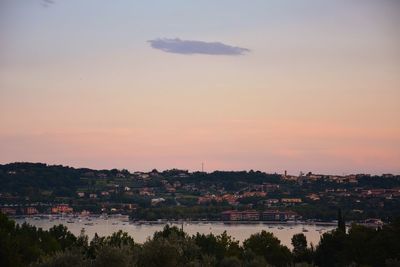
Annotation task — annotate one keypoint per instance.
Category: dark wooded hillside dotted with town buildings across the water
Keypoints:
(33, 188)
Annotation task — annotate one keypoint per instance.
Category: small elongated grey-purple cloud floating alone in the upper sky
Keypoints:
(188, 47)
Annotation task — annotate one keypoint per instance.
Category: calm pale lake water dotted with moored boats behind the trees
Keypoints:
(140, 232)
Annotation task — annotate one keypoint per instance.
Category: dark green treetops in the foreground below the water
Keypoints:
(26, 245)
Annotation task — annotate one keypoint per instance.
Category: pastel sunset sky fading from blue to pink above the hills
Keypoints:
(305, 85)
